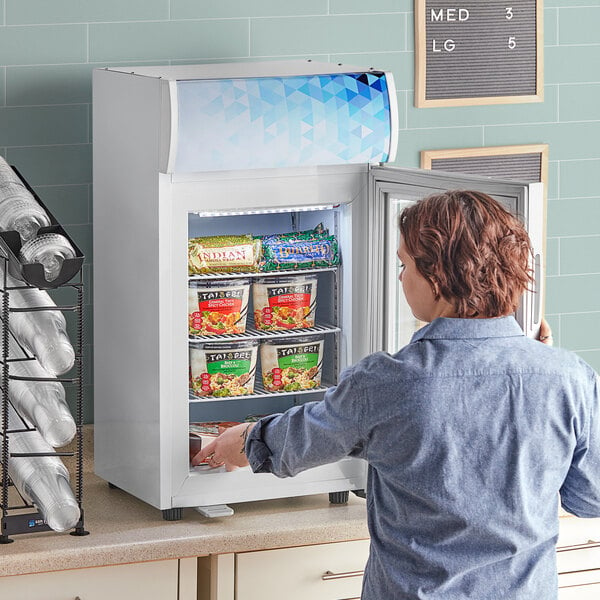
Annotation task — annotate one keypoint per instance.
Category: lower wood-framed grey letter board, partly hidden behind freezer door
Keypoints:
(528, 163)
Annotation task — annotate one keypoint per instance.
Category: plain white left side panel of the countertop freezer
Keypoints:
(126, 285)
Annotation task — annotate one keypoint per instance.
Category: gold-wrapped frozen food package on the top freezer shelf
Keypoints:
(223, 254)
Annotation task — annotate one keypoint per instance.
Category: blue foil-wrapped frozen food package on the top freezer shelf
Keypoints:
(300, 250)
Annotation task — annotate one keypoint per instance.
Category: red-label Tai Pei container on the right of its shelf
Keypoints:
(282, 303)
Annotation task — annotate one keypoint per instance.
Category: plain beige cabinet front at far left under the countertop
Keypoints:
(139, 581)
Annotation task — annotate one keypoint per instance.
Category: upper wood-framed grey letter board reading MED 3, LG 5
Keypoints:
(478, 52)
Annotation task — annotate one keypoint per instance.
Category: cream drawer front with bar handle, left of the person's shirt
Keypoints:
(323, 572)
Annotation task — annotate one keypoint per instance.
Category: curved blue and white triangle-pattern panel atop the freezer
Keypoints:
(282, 121)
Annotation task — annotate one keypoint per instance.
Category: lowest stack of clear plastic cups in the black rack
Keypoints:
(41, 480)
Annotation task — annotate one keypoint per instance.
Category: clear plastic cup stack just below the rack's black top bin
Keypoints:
(42, 333)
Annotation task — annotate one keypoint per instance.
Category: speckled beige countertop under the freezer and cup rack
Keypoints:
(124, 529)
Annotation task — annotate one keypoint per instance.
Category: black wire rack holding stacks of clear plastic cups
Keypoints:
(21, 517)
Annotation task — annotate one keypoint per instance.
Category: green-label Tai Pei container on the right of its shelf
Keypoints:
(292, 364)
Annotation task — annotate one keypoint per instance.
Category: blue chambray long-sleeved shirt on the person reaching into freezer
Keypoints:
(470, 432)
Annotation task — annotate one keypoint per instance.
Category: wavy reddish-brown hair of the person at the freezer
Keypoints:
(474, 253)
